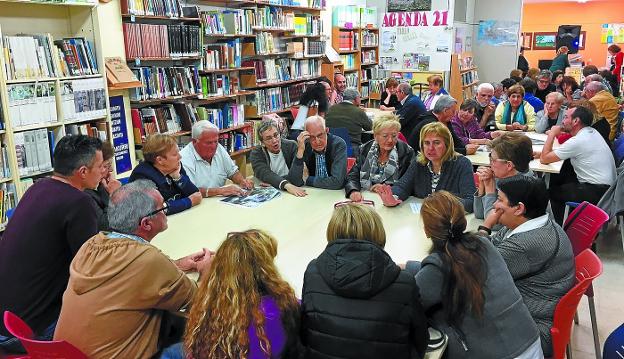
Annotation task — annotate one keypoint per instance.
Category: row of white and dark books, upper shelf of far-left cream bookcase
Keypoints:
(40, 56)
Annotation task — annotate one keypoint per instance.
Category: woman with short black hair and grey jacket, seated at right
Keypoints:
(537, 251)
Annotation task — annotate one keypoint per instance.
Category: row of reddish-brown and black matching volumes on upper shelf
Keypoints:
(161, 41)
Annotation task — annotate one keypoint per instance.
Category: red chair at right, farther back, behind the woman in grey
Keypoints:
(582, 227)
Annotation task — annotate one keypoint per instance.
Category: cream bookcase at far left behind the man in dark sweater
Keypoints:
(51, 84)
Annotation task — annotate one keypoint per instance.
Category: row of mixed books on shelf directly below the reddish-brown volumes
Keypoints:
(164, 82)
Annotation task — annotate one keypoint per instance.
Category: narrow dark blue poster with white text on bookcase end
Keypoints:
(120, 134)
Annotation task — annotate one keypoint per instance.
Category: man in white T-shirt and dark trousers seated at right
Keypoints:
(590, 157)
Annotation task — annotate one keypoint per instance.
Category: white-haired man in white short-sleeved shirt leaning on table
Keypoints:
(208, 164)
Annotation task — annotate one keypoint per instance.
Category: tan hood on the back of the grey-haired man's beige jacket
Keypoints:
(102, 259)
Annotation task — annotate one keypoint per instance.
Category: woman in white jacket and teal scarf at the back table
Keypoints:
(515, 113)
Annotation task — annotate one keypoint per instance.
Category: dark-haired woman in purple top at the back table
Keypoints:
(466, 125)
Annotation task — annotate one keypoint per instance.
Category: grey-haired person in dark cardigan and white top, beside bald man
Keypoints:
(273, 162)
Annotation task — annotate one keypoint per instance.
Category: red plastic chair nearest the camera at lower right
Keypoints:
(588, 267)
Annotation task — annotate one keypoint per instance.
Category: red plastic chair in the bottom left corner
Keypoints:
(37, 349)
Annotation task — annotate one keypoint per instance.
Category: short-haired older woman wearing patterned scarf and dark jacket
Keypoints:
(382, 160)
